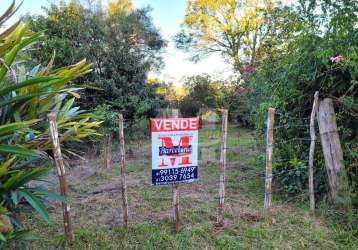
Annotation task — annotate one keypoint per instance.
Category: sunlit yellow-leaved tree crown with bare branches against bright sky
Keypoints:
(234, 28)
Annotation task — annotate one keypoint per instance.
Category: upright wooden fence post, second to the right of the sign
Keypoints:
(269, 151)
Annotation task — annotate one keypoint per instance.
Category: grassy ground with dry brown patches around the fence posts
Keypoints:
(96, 209)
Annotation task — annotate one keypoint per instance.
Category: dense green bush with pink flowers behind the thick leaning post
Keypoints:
(321, 55)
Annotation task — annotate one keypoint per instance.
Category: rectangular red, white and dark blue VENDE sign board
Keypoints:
(174, 150)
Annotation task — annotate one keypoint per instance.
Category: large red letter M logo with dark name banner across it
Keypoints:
(182, 150)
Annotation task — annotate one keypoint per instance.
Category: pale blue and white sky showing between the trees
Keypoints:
(167, 16)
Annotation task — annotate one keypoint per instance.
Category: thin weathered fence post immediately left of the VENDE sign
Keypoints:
(123, 171)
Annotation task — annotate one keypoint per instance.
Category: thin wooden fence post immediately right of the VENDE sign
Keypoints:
(220, 216)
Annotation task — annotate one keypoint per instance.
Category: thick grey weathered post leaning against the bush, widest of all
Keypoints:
(331, 145)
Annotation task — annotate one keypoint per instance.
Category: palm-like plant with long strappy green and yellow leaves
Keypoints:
(25, 99)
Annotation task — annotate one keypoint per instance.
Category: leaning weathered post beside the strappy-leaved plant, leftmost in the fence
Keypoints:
(61, 176)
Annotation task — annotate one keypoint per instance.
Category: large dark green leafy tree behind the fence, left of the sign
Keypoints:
(123, 45)
